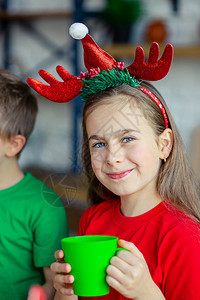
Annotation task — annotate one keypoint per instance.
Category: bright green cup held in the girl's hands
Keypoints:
(89, 257)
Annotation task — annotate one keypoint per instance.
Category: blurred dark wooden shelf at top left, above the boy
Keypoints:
(33, 15)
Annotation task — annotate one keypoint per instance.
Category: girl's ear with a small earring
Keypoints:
(165, 143)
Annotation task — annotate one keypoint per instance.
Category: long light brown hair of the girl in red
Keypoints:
(176, 180)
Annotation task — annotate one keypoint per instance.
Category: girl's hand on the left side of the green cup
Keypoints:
(62, 281)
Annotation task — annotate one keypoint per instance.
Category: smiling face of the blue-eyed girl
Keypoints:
(125, 155)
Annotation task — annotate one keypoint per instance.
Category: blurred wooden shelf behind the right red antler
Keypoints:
(128, 50)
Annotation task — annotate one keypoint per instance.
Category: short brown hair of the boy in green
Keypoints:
(18, 106)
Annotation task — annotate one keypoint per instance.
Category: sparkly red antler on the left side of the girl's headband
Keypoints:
(57, 91)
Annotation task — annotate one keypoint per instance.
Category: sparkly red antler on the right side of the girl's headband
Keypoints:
(153, 69)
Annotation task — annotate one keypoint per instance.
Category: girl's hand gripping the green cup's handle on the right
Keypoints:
(129, 274)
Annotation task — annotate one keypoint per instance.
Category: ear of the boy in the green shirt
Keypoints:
(15, 145)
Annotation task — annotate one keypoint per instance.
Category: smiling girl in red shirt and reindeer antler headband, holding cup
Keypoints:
(140, 184)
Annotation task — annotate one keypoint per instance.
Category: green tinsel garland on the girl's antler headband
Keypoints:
(105, 80)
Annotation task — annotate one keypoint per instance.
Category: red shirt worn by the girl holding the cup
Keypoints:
(168, 239)
